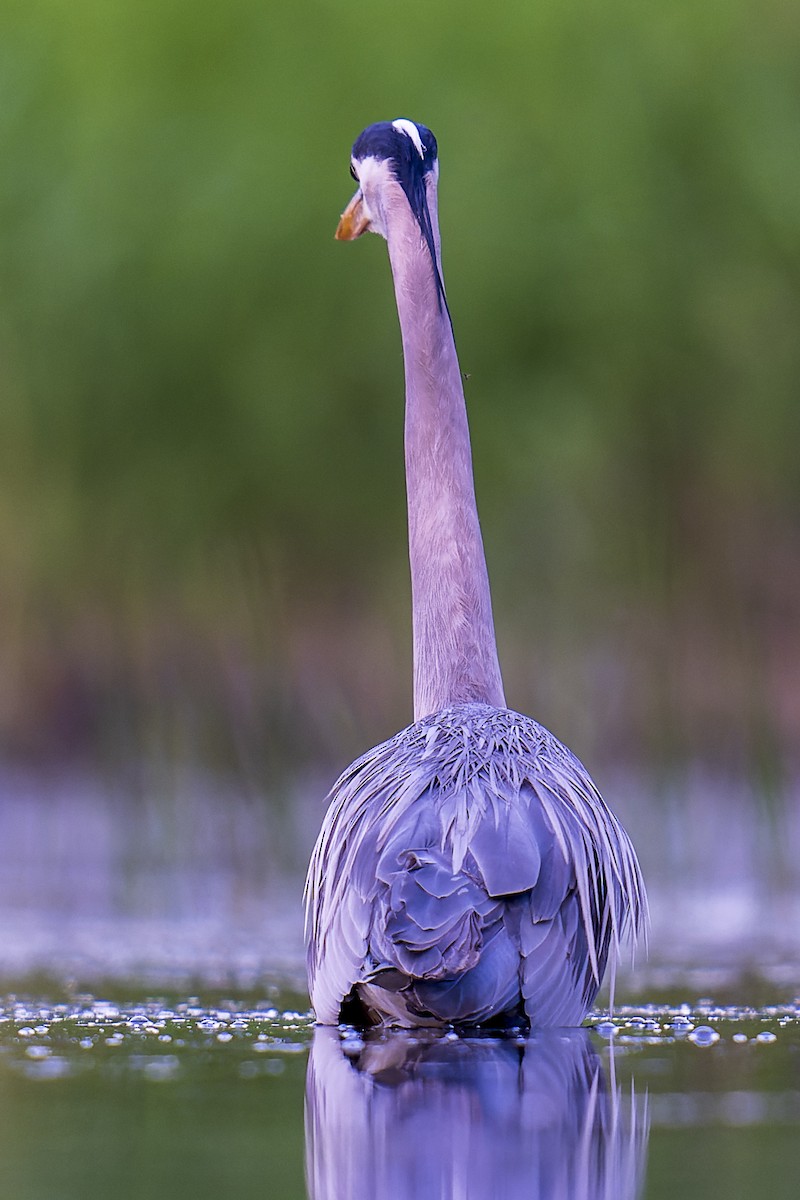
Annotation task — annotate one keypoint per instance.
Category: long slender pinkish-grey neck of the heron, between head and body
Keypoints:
(455, 651)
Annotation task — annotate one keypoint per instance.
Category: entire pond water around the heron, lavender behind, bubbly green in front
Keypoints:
(155, 1040)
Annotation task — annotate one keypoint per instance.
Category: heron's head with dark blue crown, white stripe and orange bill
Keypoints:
(386, 155)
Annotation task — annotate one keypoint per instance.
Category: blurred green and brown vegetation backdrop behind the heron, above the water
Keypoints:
(202, 507)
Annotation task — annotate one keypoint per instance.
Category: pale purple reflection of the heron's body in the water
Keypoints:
(404, 1114)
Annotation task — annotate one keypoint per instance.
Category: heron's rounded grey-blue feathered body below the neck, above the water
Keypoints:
(468, 869)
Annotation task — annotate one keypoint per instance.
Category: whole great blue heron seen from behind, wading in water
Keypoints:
(467, 871)
